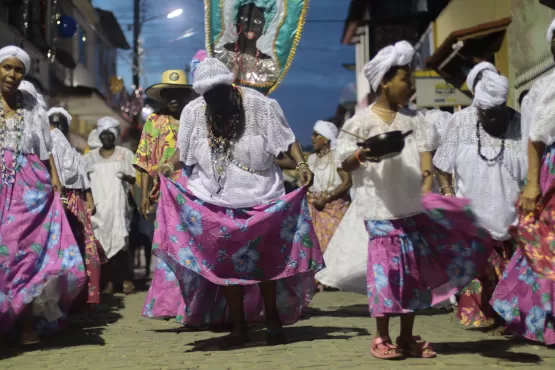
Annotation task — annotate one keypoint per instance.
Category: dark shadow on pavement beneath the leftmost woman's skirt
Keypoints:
(80, 330)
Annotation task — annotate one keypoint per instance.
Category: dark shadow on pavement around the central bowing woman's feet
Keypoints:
(294, 334)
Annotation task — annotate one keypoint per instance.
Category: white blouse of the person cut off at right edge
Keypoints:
(538, 110)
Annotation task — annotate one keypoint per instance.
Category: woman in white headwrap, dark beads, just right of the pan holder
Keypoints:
(484, 147)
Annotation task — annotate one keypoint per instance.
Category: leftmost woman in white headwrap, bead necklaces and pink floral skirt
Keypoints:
(41, 269)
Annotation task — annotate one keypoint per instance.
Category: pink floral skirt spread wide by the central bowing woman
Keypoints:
(208, 247)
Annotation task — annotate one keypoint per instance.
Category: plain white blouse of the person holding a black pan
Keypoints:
(391, 189)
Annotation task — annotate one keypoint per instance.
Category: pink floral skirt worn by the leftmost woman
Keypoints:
(39, 257)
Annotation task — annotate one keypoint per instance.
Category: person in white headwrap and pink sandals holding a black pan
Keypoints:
(412, 263)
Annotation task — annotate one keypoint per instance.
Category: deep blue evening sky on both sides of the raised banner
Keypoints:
(309, 92)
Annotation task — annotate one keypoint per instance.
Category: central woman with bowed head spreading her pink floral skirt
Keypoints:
(243, 250)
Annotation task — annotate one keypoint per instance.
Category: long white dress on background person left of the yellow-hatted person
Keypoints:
(112, 220)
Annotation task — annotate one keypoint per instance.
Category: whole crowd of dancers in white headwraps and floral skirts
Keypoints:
(460, 206)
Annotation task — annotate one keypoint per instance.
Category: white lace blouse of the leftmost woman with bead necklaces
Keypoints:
(36, 131)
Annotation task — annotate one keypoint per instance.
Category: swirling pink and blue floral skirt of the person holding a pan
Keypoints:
(422, 260)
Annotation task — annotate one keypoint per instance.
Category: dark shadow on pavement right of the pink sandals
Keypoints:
(491, 348)
